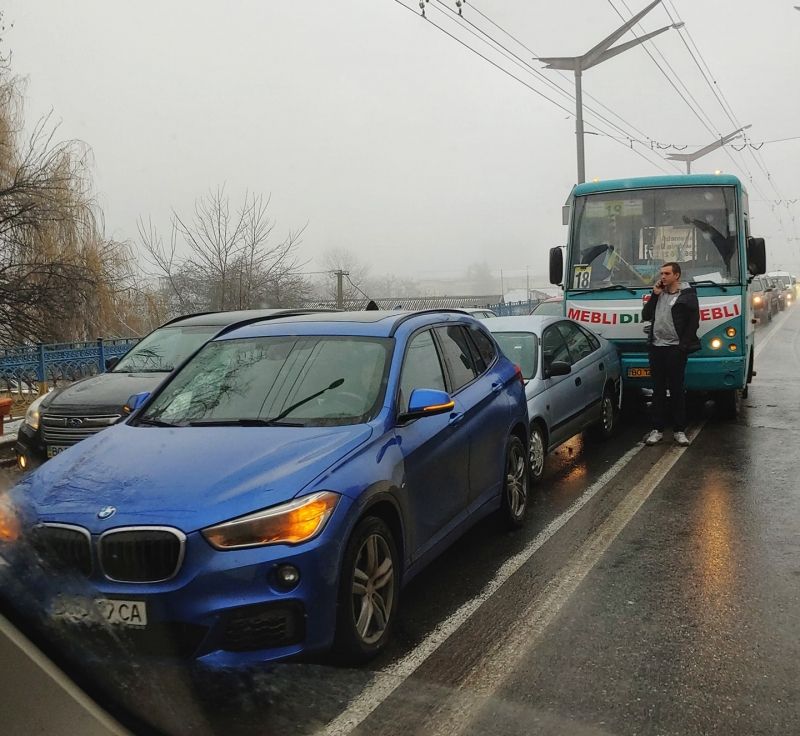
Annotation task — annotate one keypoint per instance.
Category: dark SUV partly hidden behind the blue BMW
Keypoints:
(67, 415)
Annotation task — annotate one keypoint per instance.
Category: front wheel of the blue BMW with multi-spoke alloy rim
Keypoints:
(368, 591)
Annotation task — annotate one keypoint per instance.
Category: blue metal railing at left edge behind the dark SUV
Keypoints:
(21, 369)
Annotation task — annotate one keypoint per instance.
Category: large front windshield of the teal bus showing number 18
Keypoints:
(622, 238)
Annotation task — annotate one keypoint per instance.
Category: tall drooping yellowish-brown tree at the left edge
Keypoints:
(60, 278)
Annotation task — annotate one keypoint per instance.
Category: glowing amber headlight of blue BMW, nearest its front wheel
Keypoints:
(289, 523)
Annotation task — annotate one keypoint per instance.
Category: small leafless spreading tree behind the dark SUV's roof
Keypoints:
(231, 261)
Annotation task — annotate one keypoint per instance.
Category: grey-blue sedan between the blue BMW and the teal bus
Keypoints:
(572, 380)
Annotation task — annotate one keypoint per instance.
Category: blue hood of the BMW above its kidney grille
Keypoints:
(187, 477)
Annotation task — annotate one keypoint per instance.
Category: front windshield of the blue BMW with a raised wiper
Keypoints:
(307, 381)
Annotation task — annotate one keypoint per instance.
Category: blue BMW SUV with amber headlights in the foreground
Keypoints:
(275, 494)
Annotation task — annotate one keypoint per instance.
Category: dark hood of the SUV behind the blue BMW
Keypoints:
(104, 391)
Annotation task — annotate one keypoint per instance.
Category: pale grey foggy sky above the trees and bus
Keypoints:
(383, 134)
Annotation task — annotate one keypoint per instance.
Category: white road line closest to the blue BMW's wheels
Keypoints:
(389, 679)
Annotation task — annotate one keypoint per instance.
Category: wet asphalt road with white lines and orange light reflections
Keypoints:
(669, 603)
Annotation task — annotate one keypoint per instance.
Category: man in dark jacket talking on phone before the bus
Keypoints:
(675, 313)
